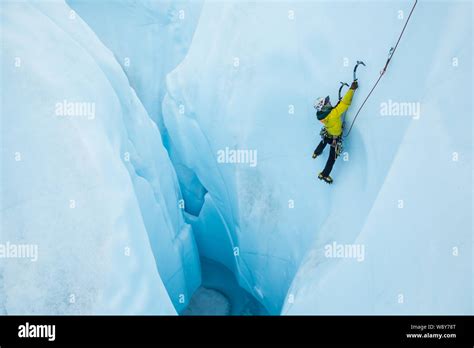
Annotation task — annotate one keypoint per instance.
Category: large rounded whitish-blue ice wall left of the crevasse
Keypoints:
(85, 177)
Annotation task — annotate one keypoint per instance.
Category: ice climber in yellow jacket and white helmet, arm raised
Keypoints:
(331, 118)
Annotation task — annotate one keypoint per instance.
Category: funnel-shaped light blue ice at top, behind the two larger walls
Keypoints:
(149, 38)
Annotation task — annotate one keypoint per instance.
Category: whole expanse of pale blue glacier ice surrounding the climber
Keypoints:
(195, 177)
